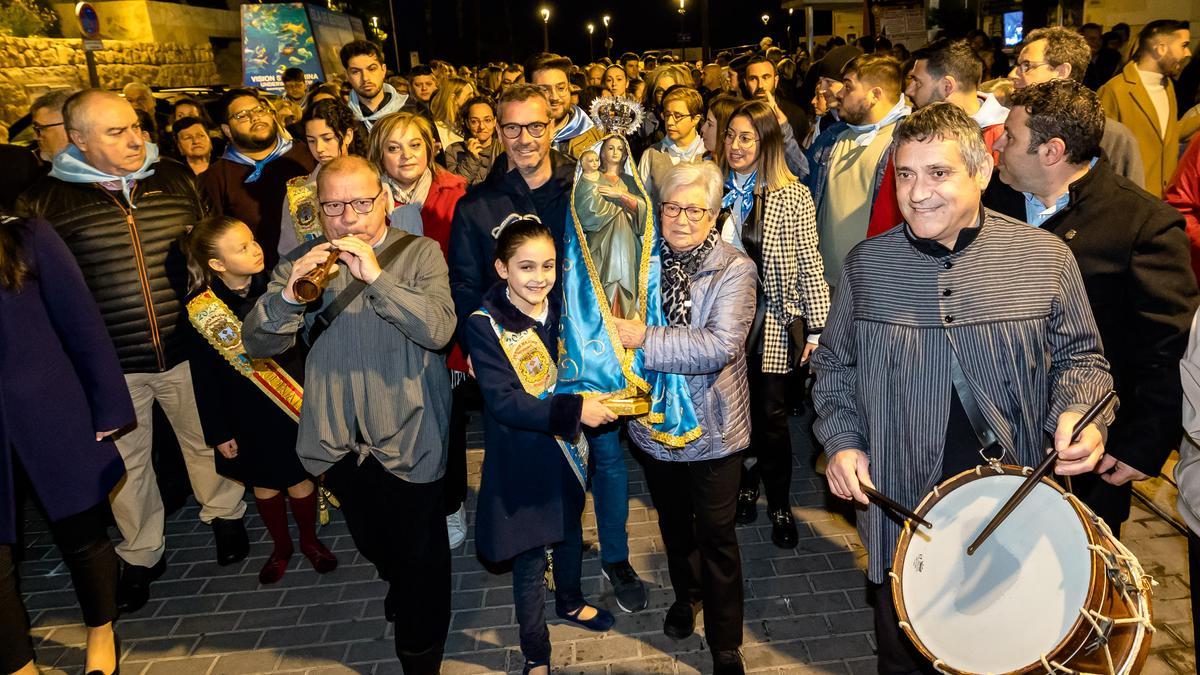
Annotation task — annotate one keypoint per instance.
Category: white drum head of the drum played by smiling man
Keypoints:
(1013, 601)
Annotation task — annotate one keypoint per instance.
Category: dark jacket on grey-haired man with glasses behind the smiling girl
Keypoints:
(483, 208)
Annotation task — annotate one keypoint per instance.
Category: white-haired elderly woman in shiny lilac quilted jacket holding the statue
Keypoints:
(709, 297)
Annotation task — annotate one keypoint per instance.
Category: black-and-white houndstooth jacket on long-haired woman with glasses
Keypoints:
(793, 272)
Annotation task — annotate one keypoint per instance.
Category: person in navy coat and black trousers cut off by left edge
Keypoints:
(62, 398)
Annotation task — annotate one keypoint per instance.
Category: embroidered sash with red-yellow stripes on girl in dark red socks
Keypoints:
(217, 322)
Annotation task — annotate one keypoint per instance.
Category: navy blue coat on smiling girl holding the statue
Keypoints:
(527, 489)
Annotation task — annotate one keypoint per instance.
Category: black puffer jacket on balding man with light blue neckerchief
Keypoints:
(131, 258)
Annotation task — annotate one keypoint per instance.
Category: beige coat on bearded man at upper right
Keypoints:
(1126, 100)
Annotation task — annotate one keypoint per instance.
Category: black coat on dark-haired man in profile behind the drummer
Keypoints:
(1133, 254)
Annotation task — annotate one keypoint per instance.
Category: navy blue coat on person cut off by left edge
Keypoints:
(61, 384)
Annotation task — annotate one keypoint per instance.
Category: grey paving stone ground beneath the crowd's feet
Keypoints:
(806, 610)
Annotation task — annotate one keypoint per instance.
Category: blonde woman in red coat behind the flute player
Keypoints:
(401, 147)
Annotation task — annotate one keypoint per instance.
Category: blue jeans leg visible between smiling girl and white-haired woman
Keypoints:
(610, 492)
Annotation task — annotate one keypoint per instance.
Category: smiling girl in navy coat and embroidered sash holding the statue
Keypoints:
(531, 497)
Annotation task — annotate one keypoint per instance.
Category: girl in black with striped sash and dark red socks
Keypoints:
(249, 409)
